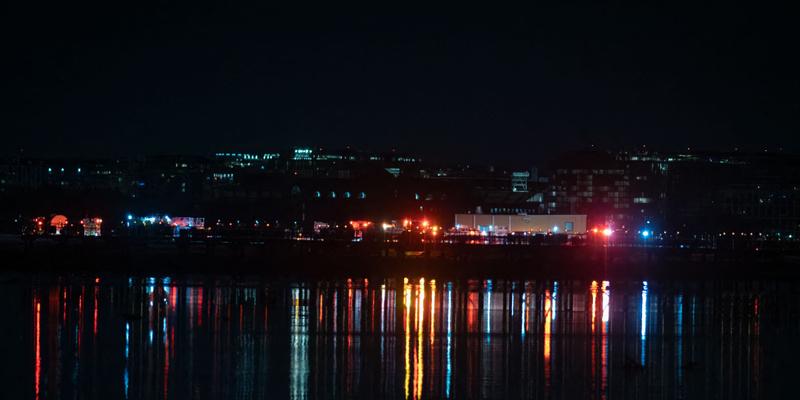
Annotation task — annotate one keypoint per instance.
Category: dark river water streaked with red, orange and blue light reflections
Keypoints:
(211, 337)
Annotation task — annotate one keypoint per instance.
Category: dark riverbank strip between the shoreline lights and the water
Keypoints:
(296, 259)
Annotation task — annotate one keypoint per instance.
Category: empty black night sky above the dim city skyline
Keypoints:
(518, 84)
